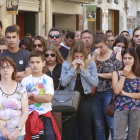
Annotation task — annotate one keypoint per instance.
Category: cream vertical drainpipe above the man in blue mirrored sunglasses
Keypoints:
(47, 16)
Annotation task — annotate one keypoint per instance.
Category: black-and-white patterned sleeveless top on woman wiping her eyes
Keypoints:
(107, 66)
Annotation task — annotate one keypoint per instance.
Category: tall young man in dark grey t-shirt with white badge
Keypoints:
(19, 56)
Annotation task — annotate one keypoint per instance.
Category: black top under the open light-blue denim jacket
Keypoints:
(79, 87)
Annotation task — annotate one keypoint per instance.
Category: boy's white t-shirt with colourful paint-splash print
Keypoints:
(39, 86)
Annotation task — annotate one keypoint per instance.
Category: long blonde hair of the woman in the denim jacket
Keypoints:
(78, 46)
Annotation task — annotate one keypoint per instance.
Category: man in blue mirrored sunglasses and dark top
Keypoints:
(54, 37)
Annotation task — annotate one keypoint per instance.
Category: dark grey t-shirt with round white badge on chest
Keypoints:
(21, 58)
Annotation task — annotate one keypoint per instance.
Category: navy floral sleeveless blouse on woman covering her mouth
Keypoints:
(127, 103)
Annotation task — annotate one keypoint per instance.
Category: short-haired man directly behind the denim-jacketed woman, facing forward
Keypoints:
(87, 38)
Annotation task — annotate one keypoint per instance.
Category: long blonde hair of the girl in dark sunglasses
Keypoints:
(54, 49)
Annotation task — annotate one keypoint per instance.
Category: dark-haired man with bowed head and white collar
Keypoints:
(68, 40)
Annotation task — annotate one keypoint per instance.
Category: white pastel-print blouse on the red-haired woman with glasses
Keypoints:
(11, 109)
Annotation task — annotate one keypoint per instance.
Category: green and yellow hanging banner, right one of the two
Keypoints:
(91, 12)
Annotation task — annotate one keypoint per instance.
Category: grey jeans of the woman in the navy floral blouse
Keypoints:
(121, 119)
